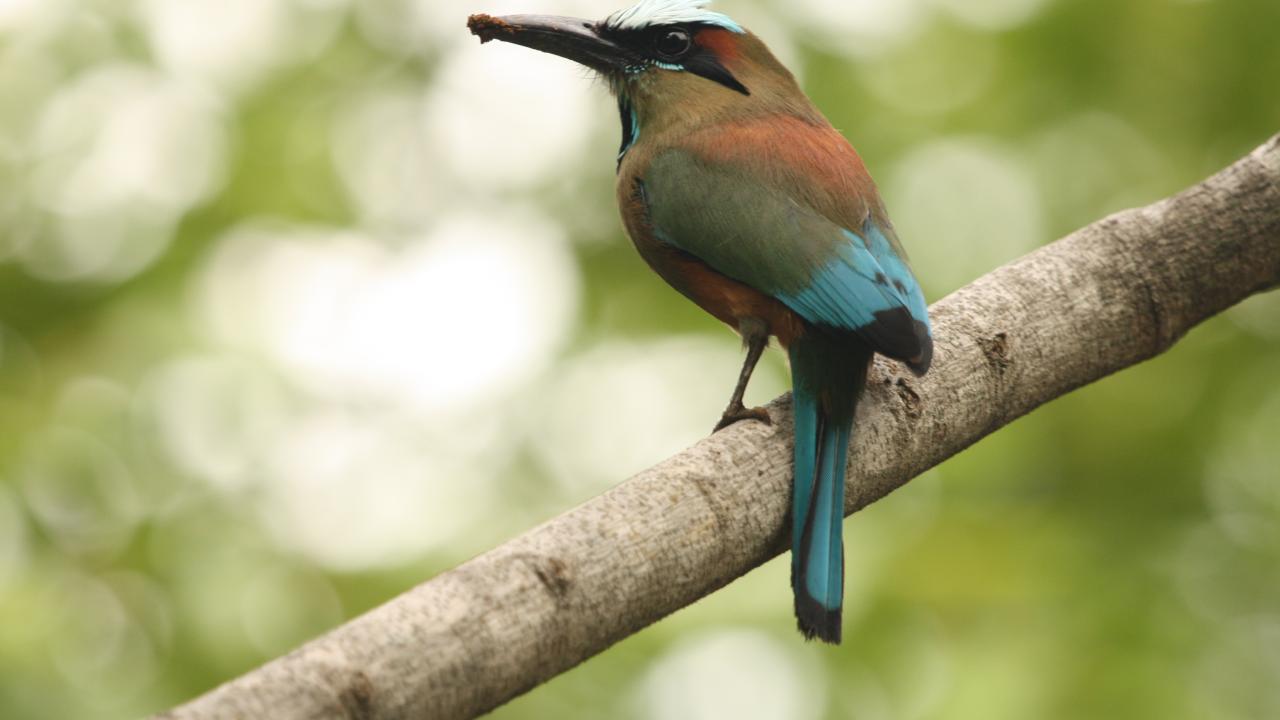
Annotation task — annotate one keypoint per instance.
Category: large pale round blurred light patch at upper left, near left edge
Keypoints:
(121, 154)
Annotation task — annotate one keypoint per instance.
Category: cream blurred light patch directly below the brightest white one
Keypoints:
(356, 493)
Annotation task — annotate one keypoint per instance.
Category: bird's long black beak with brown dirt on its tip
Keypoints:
(569, 38)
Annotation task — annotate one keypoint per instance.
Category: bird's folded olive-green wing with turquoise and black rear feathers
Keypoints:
(843, 279)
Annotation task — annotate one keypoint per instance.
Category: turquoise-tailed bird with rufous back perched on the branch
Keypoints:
(738, 192)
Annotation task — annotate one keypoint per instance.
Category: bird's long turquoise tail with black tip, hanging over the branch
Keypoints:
(828, 376)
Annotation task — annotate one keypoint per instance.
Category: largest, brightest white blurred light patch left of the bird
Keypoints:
(456, 318)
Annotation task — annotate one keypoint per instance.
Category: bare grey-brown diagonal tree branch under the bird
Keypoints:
(1105, 298)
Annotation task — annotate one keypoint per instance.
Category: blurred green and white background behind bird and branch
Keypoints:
(1114, 555)
